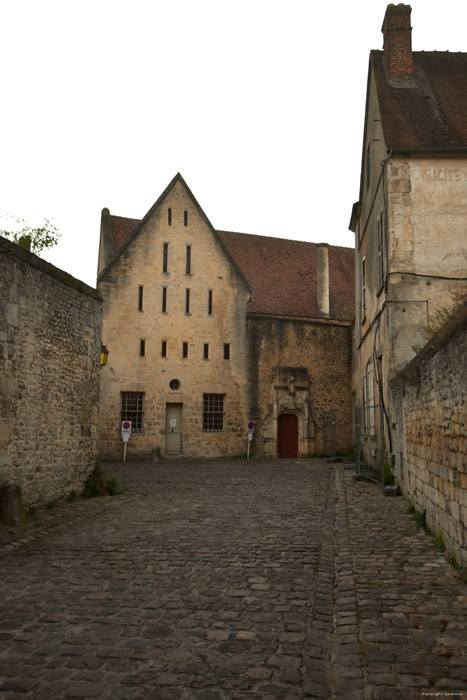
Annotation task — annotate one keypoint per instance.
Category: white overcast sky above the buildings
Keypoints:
(258, 103)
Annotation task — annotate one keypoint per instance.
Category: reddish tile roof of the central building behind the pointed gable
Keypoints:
(280, 272)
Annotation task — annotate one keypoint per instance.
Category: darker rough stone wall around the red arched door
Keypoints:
(301, 367)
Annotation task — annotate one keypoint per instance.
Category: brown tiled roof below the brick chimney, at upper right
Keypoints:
(433, 113)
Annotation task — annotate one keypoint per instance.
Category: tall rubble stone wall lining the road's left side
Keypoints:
(50, 332)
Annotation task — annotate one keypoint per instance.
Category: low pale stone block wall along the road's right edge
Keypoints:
(429, 398)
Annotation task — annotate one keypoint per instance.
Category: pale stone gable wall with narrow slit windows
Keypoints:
(161, 375)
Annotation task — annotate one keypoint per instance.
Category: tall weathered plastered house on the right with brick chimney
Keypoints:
(410, 222)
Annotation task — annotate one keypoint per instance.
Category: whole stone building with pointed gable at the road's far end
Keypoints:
(210, 329)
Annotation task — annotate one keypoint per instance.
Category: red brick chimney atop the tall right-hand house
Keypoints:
(397, 33)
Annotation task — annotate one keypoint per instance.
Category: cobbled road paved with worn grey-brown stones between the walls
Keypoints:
(230, 579)
